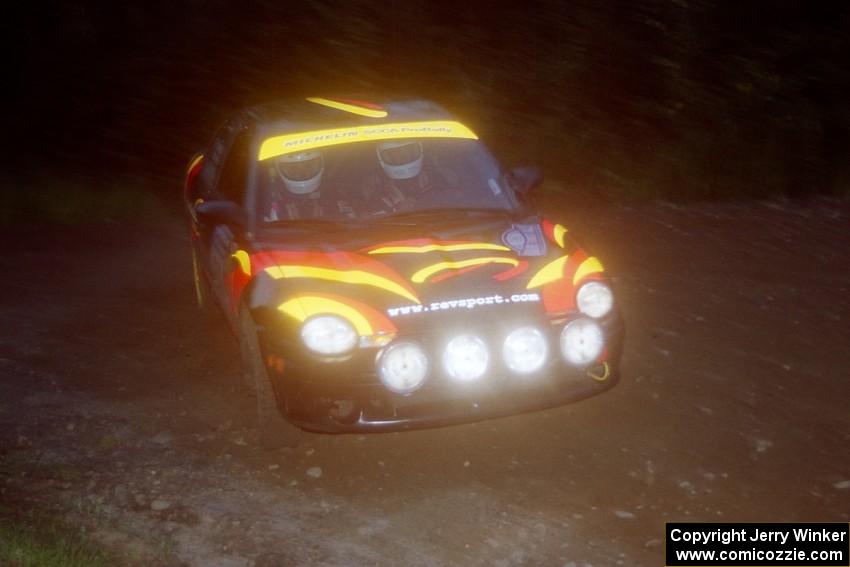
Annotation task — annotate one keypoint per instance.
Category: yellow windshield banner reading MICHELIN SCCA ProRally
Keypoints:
(302, 141)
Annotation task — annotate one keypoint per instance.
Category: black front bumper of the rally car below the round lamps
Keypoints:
(348, 398)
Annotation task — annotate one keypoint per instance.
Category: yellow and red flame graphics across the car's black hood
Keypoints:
(557, 279)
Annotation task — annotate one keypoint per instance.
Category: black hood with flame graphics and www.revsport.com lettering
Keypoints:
(427, 277)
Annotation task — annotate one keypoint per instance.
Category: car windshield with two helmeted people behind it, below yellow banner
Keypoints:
(373, 180)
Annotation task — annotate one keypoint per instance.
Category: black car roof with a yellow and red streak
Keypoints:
(315, 113)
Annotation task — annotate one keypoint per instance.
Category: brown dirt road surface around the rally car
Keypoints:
(120, 408)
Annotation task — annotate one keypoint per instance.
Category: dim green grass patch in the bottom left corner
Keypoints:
(46, 544)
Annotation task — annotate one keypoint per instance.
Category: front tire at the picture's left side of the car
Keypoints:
(273, 430)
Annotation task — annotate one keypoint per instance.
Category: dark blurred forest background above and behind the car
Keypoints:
(680, 100)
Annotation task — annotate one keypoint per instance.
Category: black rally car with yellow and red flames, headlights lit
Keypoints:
(383, 272)
